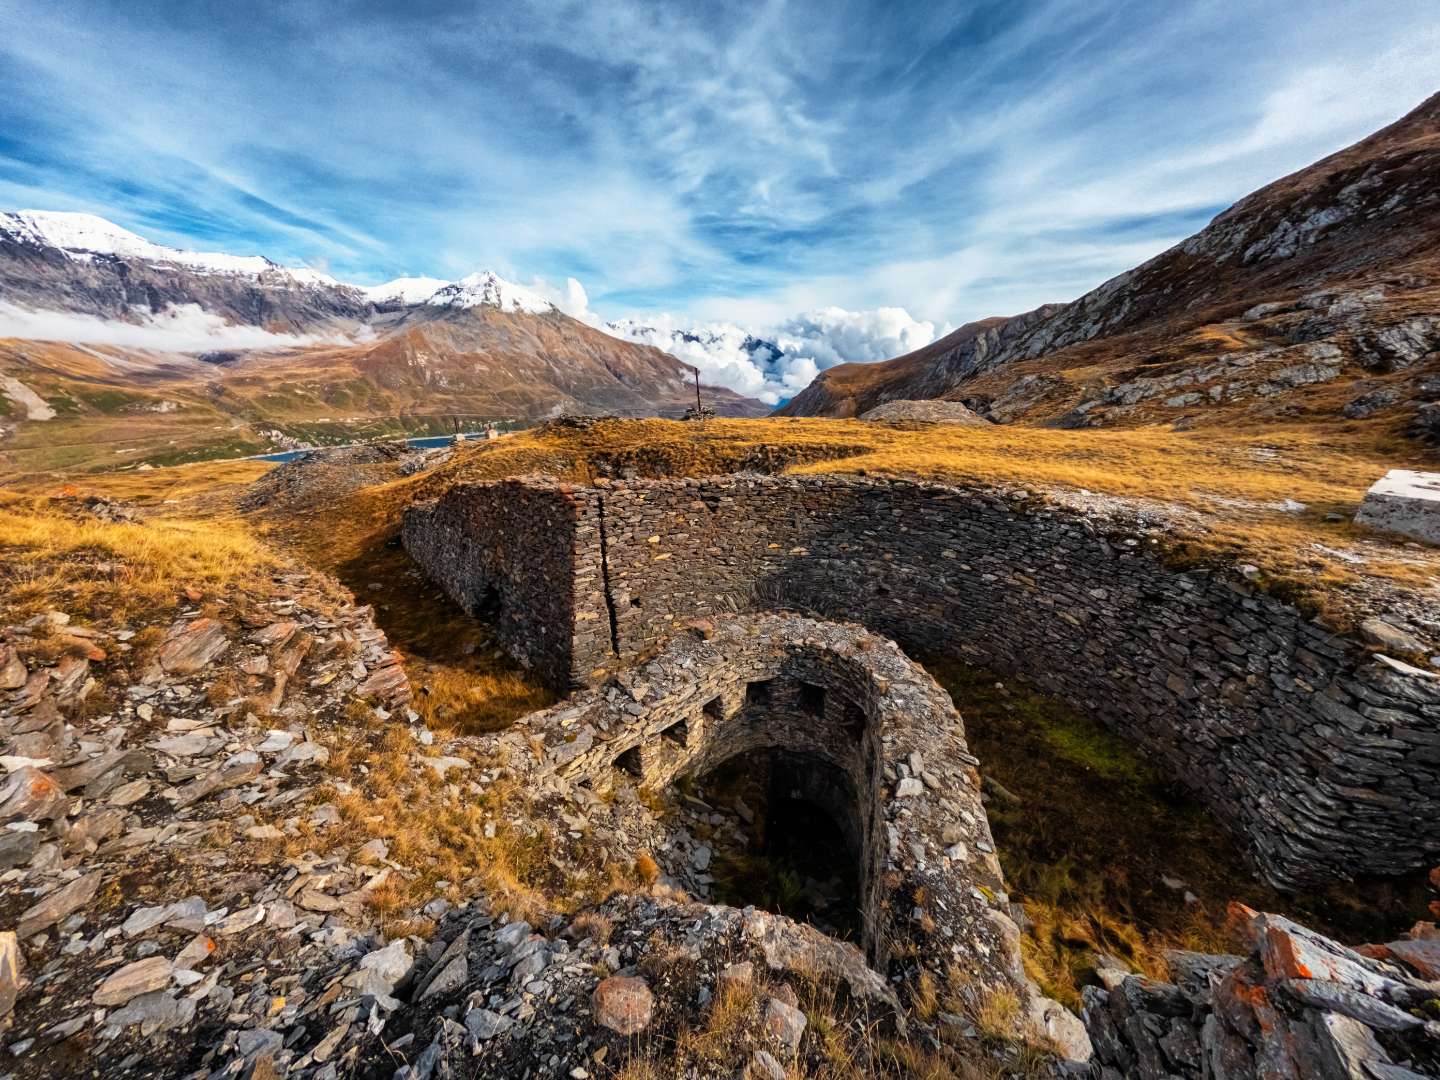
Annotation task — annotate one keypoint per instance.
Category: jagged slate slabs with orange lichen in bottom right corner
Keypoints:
(1298, 1007)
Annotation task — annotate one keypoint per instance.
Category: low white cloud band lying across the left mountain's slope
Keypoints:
(181, 329)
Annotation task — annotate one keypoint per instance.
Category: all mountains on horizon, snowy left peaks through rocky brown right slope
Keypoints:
(1313, 300)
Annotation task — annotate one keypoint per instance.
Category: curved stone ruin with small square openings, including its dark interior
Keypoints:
(862, 804)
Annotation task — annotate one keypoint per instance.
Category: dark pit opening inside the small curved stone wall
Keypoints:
(788, 837)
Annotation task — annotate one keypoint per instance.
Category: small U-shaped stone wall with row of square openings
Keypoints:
(832, 693)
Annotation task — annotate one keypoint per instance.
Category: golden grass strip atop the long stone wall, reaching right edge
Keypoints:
(1226, 489)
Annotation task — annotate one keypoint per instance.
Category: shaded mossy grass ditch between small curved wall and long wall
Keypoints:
(1111, 858)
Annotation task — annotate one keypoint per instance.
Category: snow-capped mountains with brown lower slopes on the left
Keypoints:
(241, 355)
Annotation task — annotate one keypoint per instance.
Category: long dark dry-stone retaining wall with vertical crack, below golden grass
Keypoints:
(1323, 757)
